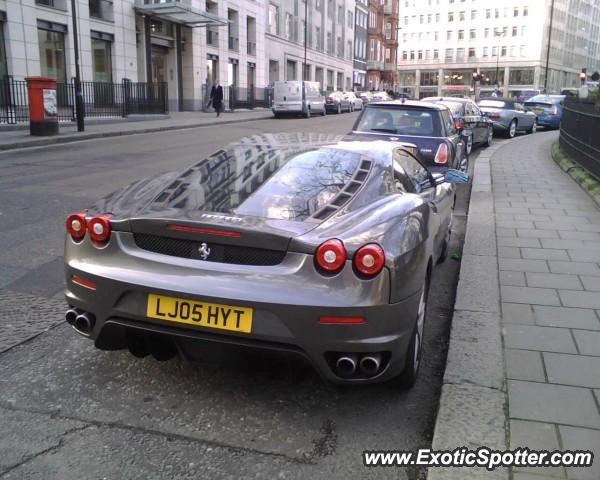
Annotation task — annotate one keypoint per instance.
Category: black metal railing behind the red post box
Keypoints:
(100, 100)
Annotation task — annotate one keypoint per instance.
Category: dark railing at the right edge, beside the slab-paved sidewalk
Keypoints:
(579, 132)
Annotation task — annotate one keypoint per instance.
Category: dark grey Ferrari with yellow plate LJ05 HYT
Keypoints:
(300, 244)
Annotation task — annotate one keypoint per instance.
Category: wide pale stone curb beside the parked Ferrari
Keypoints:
(473, 406)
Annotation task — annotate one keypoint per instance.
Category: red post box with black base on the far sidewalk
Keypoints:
(43, 107)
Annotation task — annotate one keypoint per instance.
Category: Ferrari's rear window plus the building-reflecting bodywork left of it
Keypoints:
(282, 183)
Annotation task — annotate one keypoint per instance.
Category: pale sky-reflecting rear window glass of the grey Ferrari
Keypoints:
(304, 184)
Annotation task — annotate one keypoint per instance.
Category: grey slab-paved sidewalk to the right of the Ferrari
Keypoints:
(548, 238)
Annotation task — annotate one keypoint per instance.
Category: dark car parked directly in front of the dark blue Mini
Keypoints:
(475, 126)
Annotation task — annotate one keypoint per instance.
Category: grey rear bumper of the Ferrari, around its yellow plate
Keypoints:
(291, 321)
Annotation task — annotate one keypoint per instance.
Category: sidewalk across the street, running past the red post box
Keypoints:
(13, 139)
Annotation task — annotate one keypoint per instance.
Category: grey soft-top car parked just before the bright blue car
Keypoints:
(508, 115)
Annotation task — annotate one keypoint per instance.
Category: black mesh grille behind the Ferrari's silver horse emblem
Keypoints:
(218, 252)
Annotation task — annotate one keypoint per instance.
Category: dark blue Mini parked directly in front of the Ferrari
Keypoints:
(429, 126)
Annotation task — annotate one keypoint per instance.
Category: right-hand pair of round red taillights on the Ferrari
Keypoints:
(368, 261)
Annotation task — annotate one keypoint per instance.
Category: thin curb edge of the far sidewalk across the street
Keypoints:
(70, 138)
